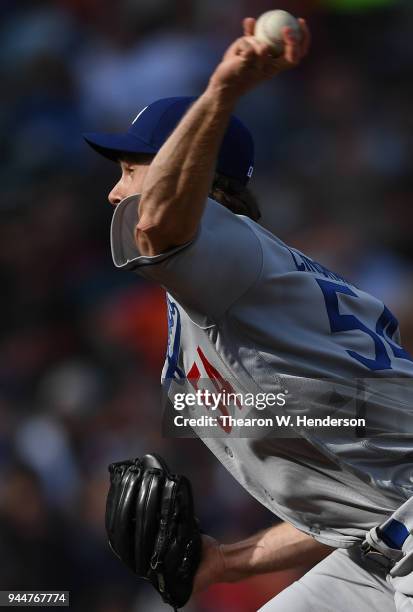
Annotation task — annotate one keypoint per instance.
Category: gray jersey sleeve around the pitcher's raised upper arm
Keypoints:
(208, 274)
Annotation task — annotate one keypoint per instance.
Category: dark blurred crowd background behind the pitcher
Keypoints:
(82, 344)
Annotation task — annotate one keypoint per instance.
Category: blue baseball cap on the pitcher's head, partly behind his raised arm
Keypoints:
(154, 123)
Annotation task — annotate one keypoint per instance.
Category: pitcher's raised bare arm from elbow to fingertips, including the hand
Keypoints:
(178, 181)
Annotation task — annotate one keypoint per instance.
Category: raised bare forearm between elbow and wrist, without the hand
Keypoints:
(179, 178)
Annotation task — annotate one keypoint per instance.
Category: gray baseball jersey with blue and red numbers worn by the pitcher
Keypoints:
(245, 307)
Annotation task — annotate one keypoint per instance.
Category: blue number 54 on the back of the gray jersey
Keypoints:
(385, 328)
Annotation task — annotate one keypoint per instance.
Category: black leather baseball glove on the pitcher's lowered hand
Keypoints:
(152, 527)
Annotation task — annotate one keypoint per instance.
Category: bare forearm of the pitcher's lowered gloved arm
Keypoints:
(279, 548)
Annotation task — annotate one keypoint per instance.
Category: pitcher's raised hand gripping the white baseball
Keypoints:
(248, 62)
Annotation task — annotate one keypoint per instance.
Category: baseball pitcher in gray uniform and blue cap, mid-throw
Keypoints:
(253, 314)
